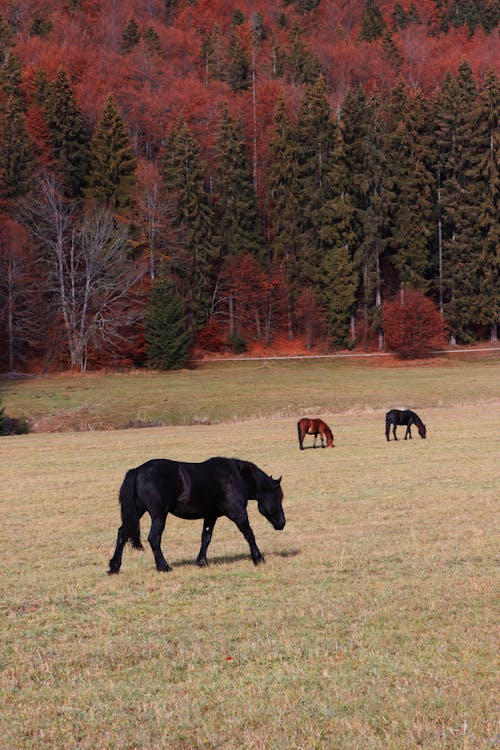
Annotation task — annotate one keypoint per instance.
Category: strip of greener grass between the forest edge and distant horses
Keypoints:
(228, 391)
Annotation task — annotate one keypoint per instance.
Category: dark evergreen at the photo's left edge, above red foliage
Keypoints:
(16, 152)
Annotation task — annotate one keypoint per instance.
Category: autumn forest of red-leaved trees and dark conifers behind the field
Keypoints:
(193, 176)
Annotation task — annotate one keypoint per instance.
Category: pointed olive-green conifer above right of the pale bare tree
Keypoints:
(112, 174)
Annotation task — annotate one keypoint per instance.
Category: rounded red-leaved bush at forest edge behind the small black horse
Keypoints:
(412, 324)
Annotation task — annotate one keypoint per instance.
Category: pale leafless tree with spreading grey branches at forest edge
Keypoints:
(89, 273)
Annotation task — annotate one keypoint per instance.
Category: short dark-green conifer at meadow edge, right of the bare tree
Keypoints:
(166, 336)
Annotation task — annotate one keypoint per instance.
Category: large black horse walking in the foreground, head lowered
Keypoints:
(210, 489)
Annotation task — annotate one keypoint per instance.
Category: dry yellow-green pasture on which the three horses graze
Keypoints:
(373, 623)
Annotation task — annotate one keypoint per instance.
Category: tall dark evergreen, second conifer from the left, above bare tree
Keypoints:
(68, 137)
